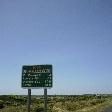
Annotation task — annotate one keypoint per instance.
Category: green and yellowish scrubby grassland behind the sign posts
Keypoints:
(56, 103)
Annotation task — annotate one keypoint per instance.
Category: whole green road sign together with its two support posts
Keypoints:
(37, 76)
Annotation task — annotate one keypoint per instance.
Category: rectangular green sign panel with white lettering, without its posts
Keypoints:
(37, 76)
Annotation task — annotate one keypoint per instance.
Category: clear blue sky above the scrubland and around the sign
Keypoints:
(75, 36)
